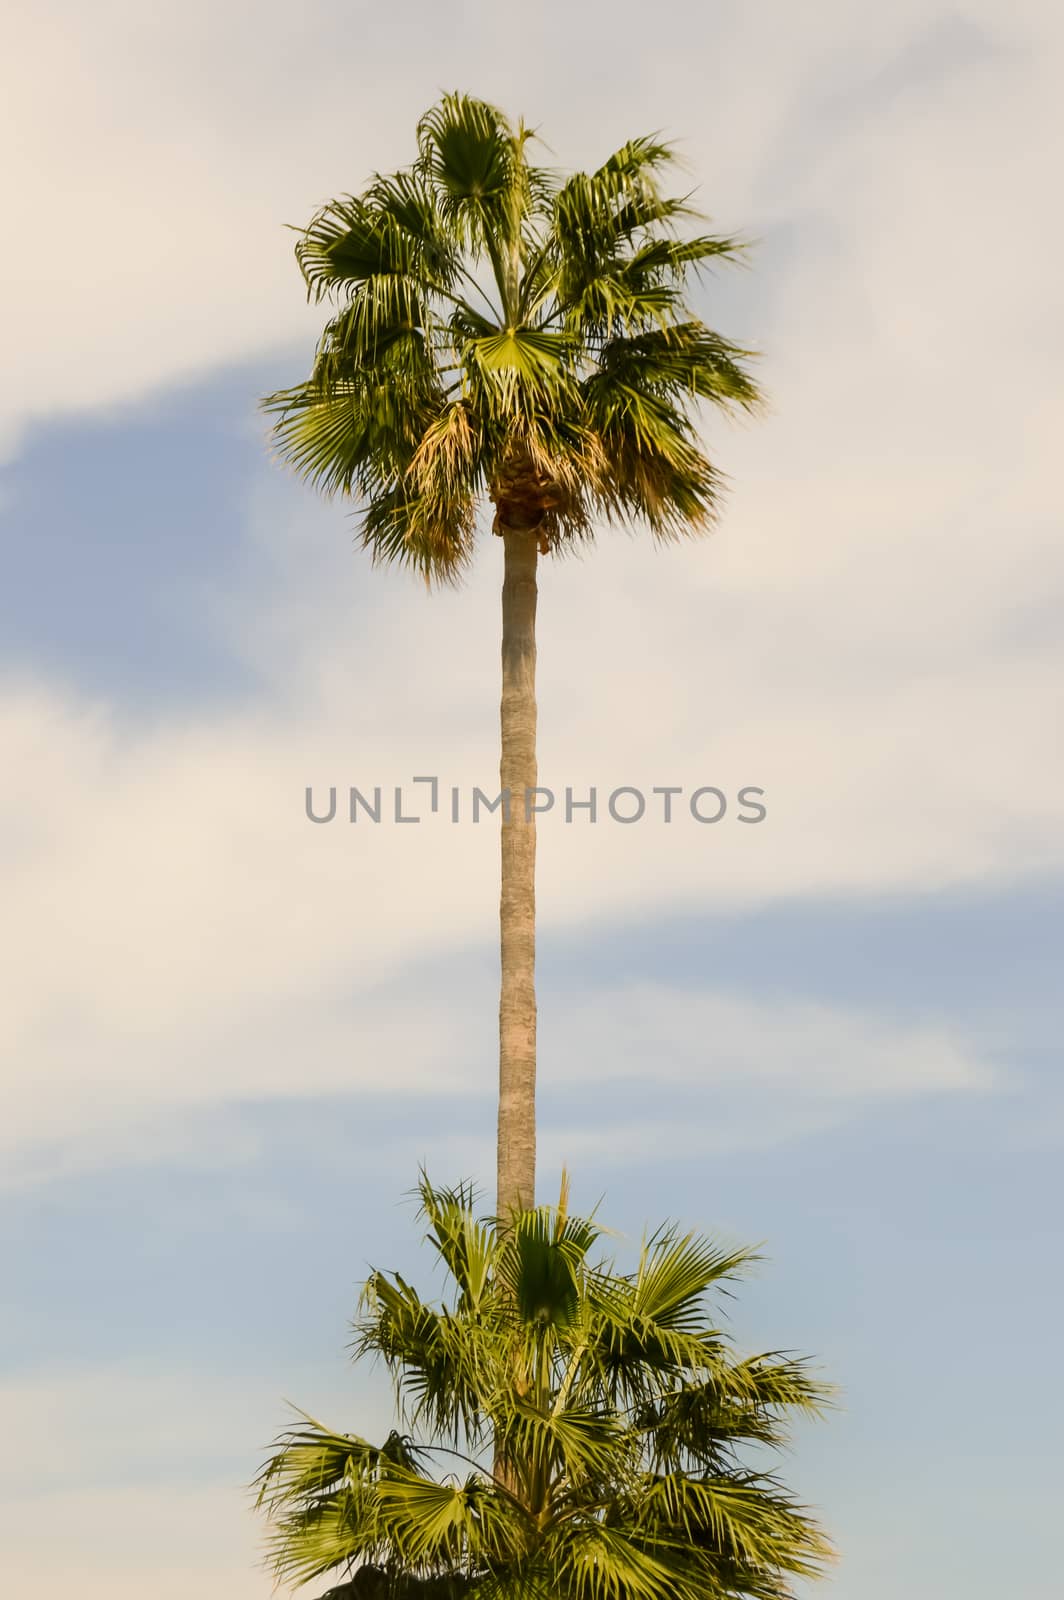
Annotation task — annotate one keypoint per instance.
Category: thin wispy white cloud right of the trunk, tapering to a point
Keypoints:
(735, 1073)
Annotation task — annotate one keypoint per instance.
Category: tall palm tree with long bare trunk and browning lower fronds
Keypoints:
(500, 334)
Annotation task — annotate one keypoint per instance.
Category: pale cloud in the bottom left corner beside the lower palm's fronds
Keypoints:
(137, 1482)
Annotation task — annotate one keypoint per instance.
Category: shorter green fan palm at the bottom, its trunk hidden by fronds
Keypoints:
(623, 1412)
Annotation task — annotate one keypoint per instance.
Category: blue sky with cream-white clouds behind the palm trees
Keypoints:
(230, 1036)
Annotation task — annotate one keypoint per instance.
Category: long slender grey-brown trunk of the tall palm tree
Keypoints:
(518, 903)
